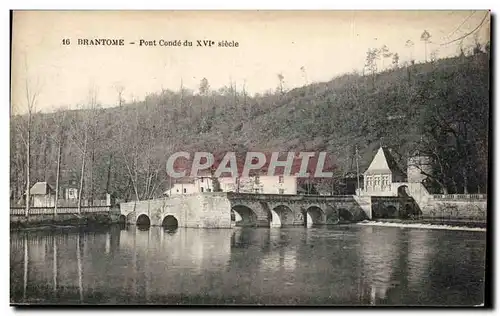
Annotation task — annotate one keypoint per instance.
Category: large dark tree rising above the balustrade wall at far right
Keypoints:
(453, 108)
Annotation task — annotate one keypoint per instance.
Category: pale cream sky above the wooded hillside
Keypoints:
(304, 46)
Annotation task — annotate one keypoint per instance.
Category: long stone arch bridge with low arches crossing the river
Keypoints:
(225, 210)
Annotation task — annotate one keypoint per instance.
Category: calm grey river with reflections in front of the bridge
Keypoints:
(335, 265)
